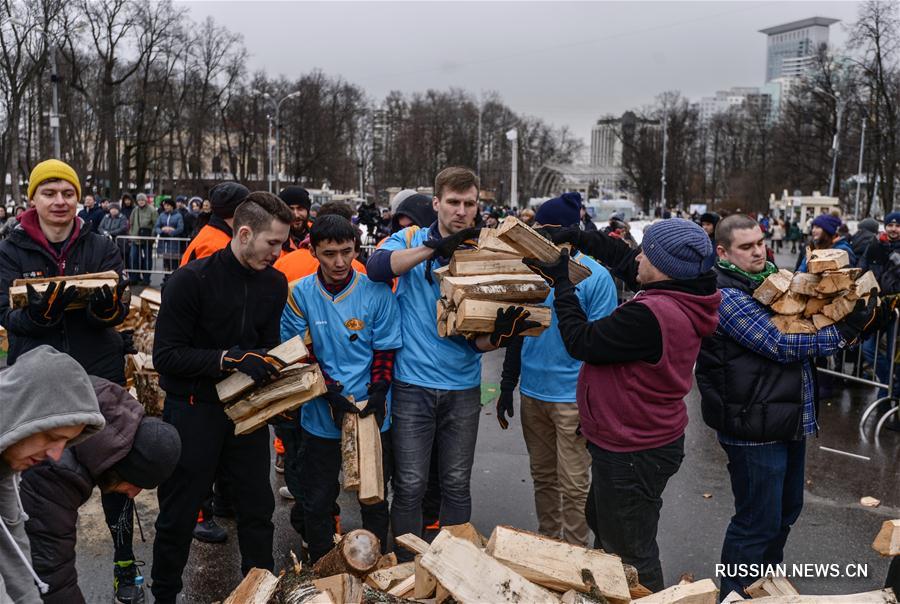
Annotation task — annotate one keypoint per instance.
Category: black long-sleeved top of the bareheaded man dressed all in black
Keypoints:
(208, 306)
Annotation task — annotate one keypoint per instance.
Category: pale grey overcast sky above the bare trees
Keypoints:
(566, 62)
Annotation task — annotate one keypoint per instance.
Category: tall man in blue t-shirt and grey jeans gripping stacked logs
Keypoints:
(437, 382)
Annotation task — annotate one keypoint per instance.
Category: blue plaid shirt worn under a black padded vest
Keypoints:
(747, 322)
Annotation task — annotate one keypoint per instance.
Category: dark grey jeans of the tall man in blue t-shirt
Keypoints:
(421, 417)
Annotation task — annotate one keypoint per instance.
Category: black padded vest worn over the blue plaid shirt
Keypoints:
(745, 395)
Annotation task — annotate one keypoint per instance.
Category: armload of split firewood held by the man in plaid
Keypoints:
(808, 302)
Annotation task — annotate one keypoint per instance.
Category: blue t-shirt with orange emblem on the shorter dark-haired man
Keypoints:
(344, 329)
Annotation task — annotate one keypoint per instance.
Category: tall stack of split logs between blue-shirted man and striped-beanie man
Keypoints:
(478, 282)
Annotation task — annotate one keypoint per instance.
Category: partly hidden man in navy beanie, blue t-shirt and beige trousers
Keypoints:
(560, 462)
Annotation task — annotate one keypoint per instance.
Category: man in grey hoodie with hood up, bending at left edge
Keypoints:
(38, 419)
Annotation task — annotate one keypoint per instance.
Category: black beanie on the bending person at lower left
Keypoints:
(154, 453)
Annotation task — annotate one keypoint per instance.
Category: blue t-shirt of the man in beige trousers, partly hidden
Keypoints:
(548, 372)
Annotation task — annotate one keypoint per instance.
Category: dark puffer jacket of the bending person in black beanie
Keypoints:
(53, 492)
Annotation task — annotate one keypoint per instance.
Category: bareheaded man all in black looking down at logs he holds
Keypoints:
(219, 314)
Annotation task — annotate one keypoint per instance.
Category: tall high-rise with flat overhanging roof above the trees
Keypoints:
(791, 48)
